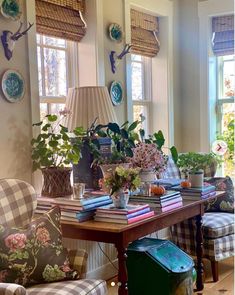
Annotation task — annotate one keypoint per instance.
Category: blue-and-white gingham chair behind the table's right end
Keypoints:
(217, 227)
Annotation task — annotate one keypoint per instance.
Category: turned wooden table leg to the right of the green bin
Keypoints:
(199, 252)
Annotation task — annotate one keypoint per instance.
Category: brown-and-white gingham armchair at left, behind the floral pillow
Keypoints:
(17, 205)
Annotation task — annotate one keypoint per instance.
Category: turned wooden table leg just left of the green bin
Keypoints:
(122, 271)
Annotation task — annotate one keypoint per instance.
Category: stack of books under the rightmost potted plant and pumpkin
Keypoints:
(196, 193)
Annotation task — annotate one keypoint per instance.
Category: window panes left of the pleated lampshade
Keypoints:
(52, 56)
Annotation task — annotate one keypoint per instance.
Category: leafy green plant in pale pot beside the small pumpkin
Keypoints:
(194, 164)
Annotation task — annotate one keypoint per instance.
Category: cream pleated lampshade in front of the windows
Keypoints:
(87, 103)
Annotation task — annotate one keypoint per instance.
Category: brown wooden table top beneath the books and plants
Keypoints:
(116, 227)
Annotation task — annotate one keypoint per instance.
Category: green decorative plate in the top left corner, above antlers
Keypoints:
(11, 9)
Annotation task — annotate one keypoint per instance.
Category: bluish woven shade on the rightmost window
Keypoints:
(223, 35)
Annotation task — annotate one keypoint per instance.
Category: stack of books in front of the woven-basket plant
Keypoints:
(74, 209)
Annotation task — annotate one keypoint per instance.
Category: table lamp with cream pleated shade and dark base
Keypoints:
(86, 104)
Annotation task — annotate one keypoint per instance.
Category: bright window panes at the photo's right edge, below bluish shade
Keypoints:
(226, 108)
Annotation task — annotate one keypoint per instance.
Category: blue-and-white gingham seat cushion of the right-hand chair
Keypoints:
(218, 224)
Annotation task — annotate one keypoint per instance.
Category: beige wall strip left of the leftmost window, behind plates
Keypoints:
(15, 118)
